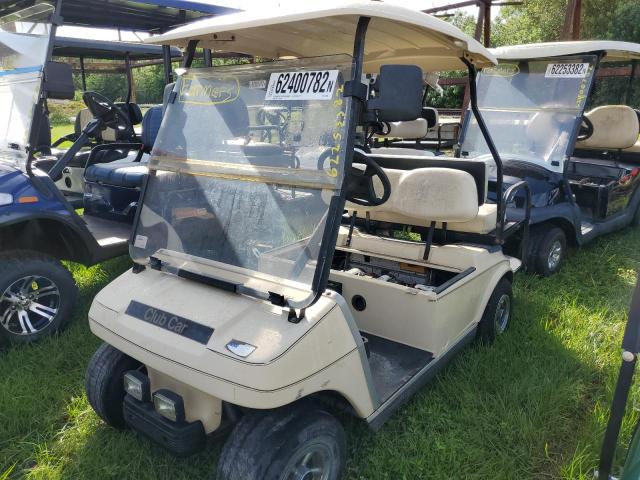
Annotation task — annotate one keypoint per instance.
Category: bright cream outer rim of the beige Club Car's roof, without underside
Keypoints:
(255, 19)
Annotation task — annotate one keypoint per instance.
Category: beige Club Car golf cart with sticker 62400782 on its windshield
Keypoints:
(260, 301)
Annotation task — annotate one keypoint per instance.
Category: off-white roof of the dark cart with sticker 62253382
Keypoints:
(615, 51)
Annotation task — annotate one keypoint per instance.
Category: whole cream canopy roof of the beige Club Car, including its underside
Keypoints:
(395, 35)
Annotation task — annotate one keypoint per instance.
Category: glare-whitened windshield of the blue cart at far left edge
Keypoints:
(24, 42)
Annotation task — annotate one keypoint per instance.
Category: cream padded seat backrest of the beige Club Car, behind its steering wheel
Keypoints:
(427, 195)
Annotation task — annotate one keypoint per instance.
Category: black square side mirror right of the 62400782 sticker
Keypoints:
(396, 95)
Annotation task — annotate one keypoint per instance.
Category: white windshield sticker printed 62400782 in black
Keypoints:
(316, 85)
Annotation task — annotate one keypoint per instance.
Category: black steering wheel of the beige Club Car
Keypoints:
(359, 184)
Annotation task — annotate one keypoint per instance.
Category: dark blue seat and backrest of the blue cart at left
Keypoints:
(129, 174)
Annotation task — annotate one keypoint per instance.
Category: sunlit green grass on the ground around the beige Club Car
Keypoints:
(533, 406)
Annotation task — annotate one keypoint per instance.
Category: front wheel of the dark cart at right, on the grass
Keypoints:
(548, 250)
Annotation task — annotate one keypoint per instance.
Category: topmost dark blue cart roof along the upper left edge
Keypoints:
(153, 16)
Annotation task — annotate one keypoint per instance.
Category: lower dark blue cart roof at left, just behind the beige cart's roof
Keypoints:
(108, 50)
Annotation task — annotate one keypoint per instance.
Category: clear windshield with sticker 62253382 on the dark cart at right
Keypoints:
(532, 109)
